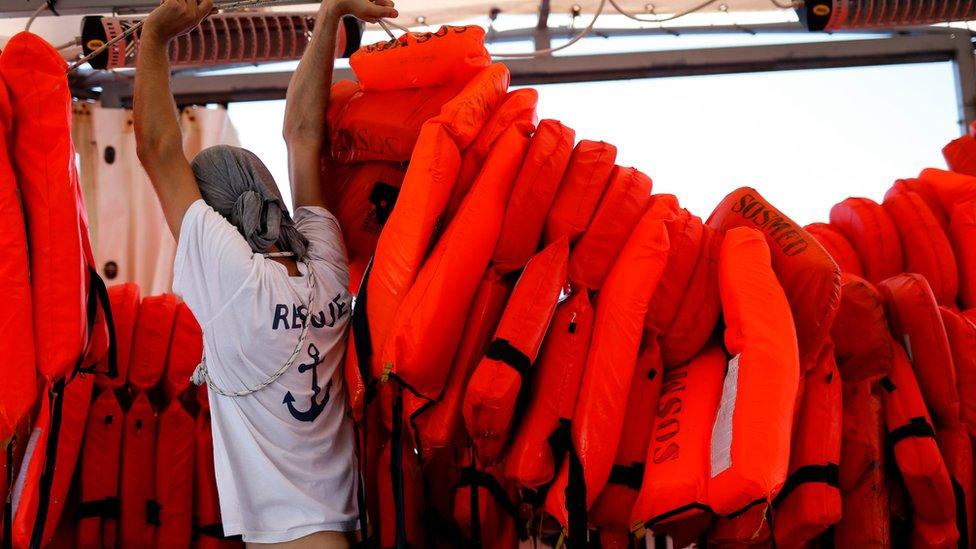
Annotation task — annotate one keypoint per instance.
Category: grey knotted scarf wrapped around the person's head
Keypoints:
(235, 183)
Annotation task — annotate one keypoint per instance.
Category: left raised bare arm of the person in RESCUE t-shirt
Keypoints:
(159, 143)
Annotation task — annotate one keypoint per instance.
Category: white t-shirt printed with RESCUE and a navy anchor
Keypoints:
(284, 456)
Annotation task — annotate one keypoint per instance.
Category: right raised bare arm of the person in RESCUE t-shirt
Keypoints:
(308, 97)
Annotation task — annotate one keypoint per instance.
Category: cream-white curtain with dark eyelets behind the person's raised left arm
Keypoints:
(129, 232)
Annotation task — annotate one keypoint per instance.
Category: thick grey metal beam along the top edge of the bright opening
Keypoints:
(583, 68)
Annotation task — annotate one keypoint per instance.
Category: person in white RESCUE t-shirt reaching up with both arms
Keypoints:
(269, 293)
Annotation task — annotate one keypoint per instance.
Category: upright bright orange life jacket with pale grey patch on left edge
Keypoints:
(749, 457)
